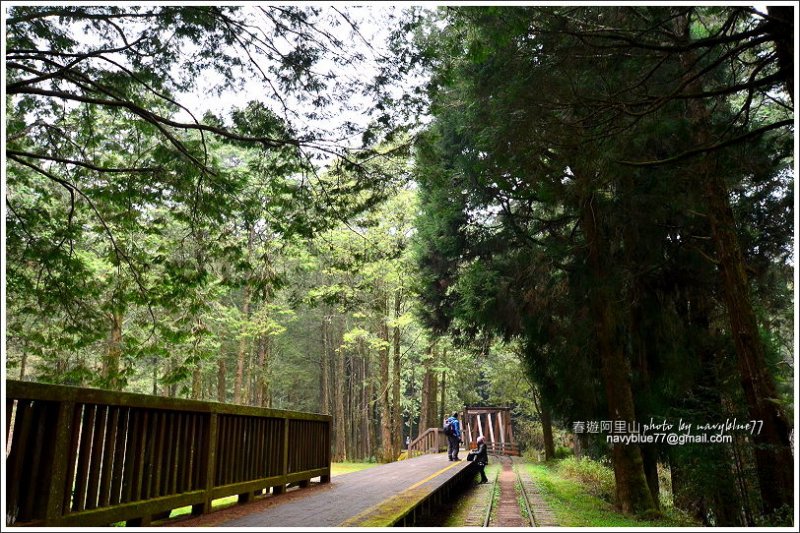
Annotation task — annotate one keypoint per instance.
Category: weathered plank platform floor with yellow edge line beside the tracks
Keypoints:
(384, 495)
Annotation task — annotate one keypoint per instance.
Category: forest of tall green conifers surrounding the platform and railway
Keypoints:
(584, 213)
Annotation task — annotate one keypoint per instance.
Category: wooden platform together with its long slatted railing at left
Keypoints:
(87, 457)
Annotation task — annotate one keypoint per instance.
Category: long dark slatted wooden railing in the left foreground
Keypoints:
(84, 457)
